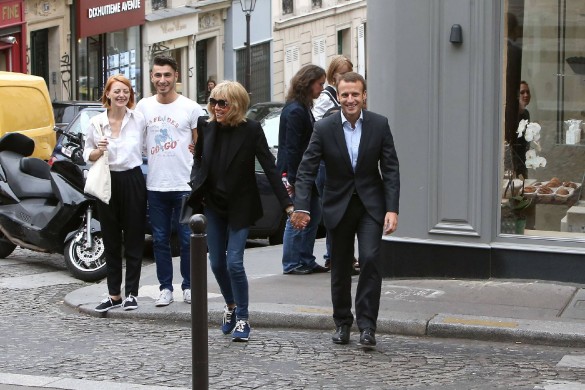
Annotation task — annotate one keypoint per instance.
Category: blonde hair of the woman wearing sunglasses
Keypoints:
(238, 100)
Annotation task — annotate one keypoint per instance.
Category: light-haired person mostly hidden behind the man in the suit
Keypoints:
(325, 105)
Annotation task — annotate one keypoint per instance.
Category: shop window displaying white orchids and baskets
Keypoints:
(544, 164)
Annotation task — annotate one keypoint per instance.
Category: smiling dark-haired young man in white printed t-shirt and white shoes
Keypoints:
(171, 126)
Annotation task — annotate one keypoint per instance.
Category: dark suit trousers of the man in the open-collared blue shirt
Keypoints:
(356, 220)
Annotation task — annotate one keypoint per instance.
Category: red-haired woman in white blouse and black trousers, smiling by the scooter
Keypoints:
(122, 219)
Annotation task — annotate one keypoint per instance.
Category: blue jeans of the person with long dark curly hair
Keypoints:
(297, 245)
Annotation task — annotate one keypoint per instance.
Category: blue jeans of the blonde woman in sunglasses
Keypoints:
(226, 255)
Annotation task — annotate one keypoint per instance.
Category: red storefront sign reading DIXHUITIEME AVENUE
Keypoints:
(102, 16)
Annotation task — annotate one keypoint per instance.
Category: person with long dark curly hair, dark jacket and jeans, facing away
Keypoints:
(296, 127)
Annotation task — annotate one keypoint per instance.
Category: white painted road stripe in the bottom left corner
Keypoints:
(73, 384)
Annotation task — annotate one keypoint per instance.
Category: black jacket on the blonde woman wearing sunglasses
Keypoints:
(249, 143)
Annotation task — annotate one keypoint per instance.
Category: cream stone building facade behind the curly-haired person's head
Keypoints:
(313, 31)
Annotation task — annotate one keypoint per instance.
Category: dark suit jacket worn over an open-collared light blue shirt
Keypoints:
(376, 179)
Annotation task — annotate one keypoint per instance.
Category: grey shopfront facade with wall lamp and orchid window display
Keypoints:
(491, 182)
